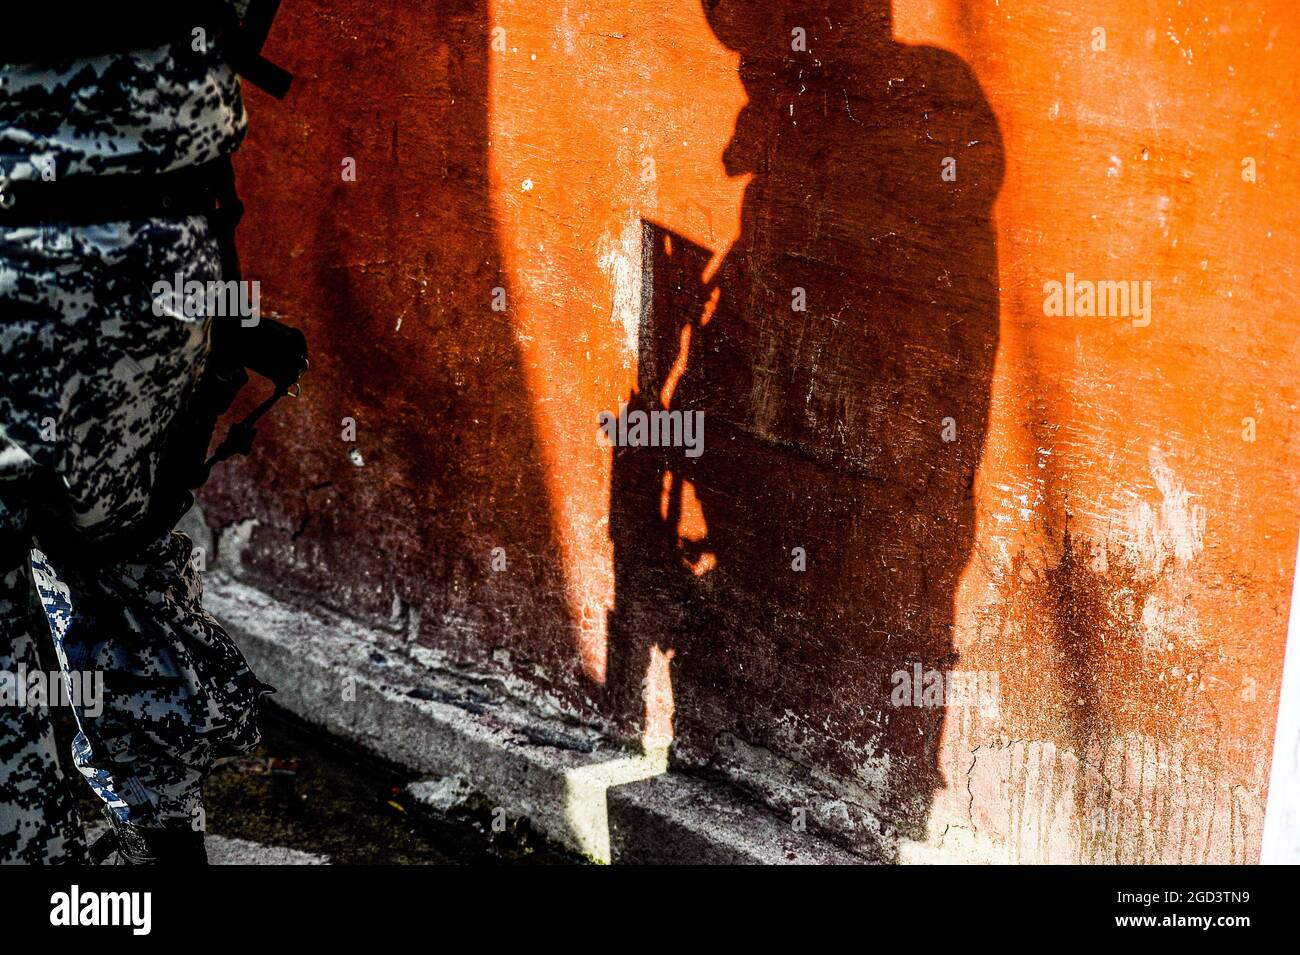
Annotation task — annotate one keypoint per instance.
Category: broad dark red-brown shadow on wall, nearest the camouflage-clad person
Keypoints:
(393, 279)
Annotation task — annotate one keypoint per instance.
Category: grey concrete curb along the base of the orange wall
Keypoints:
(570, 783)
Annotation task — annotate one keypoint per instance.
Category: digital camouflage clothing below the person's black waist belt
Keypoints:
(92, 384)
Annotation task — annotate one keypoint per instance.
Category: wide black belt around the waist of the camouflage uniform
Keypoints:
(202, 190)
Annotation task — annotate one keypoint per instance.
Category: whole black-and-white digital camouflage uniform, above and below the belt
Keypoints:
(93, 384)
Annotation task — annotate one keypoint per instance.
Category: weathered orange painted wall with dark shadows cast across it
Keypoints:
(829, 228)
